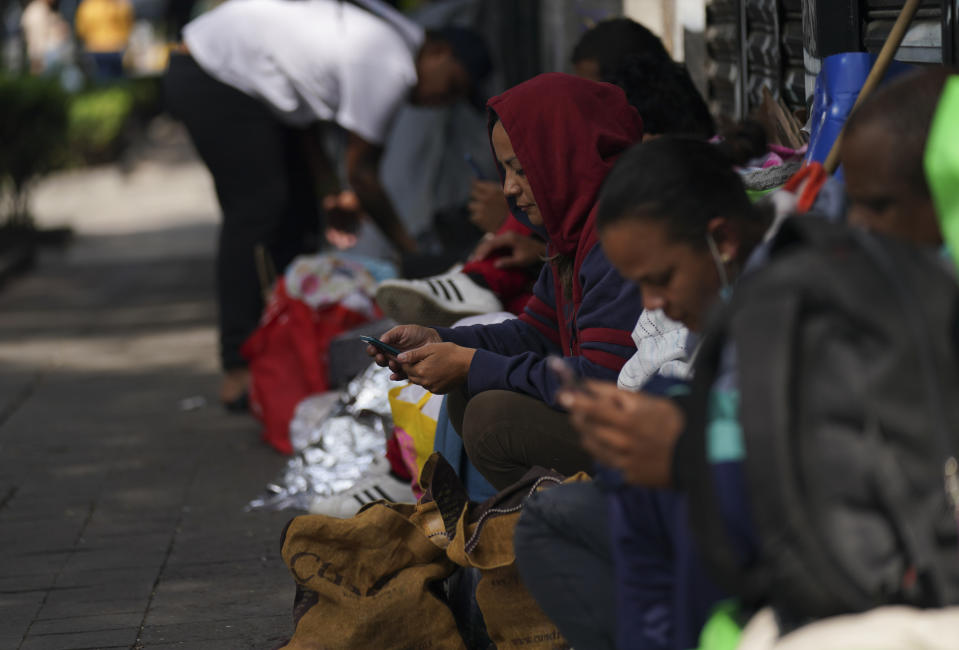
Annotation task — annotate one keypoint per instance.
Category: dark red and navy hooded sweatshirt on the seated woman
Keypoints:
(567, 133)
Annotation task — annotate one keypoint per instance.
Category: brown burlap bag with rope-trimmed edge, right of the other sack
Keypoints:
(484, 539)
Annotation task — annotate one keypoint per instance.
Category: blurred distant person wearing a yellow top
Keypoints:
(104, 26)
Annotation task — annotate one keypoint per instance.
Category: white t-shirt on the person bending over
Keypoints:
(311, 59)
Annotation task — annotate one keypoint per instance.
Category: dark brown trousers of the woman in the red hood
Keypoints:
(506, 433)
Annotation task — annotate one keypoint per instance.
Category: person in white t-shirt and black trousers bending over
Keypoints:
(254, 80)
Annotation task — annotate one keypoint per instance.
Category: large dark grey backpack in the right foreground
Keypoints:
(847, 353)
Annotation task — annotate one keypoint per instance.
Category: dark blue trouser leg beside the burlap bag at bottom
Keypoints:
(563, 554)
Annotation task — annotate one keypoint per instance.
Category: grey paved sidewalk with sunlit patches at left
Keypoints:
(121, 504)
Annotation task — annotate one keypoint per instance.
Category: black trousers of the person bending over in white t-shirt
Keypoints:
(263, 183)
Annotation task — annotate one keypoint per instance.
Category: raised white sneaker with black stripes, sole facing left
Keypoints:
(440, 300)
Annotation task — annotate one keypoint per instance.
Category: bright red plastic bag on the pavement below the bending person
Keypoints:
(288, 357)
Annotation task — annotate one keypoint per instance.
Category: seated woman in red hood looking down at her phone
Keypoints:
(554, 137)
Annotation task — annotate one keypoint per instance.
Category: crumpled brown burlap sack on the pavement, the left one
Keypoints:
(365, 582)
